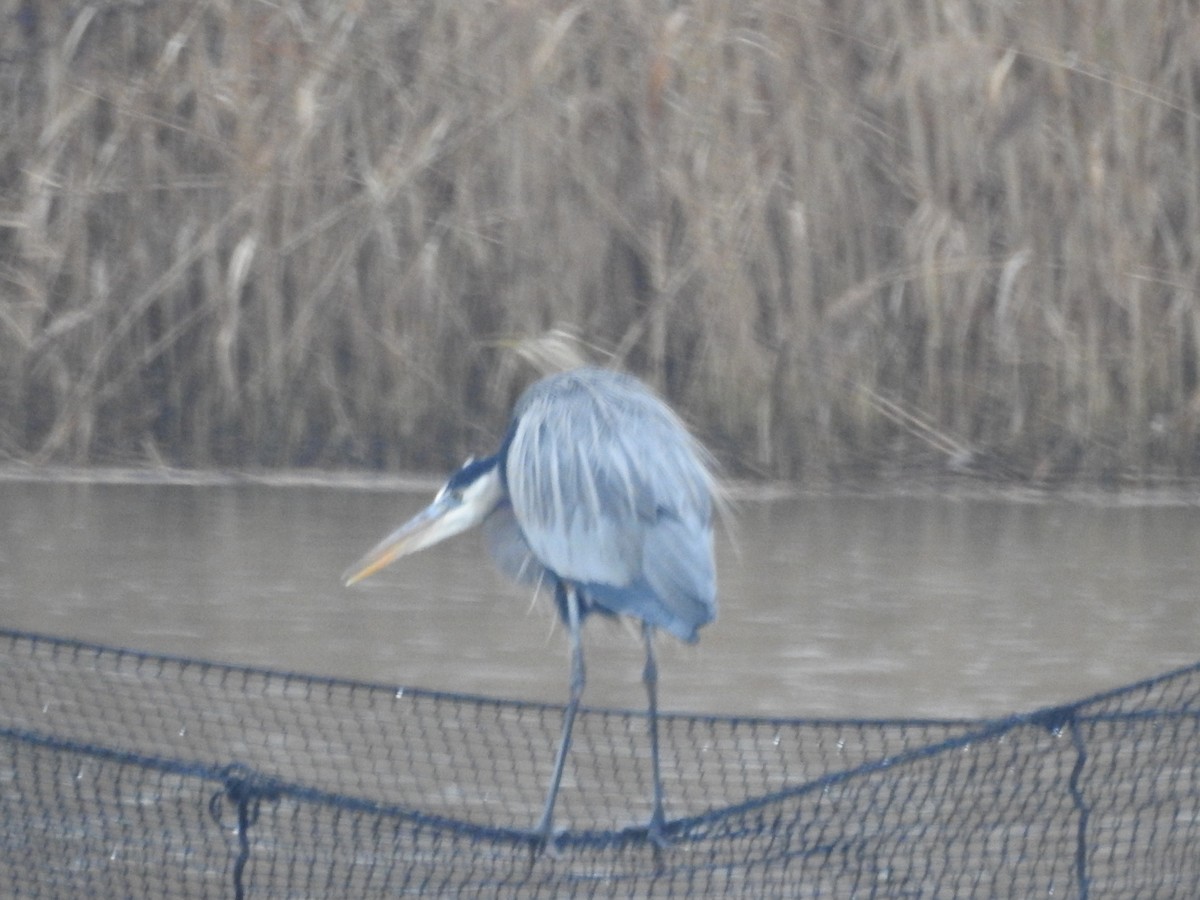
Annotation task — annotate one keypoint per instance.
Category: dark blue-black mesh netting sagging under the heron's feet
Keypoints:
(128, 775)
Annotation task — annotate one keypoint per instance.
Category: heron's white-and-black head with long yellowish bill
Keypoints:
(465, 501)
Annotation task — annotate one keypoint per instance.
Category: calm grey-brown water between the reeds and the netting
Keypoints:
(926, 605)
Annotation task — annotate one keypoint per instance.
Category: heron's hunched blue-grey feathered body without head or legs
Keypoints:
(611, 493)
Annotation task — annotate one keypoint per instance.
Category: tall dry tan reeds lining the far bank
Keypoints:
(841, 237)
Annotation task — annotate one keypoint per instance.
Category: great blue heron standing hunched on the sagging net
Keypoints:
(599, 491)
